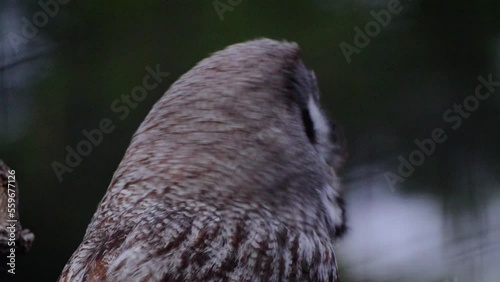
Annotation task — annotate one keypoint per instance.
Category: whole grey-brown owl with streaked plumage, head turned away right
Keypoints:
(231, 177)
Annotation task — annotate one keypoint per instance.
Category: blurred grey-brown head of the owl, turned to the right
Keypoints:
(243, 129)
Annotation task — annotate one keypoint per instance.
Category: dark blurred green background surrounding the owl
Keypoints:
(441, 224)
